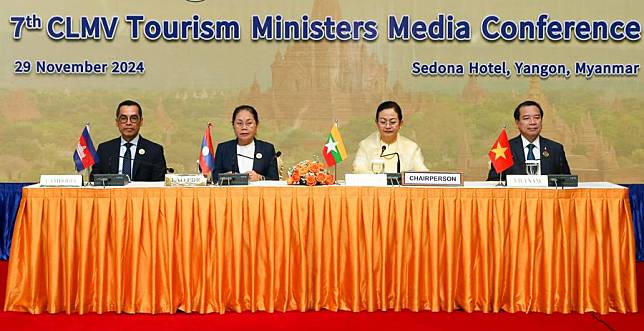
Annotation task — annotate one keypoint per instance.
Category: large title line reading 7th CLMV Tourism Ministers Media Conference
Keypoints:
(445, 27)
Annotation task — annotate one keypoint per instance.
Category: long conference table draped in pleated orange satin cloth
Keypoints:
(145, 248)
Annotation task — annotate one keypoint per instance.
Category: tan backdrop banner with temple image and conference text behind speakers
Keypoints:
(457, 68)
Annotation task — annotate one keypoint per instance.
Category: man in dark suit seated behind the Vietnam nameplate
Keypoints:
(529, 145)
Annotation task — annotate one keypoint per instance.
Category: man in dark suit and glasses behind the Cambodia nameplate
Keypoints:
(131, 154)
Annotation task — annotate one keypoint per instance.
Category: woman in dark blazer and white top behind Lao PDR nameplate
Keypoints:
(245, 154)
